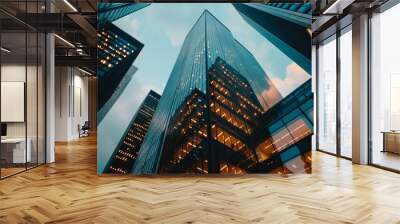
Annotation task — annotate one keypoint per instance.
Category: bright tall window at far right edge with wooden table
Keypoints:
(385, 89)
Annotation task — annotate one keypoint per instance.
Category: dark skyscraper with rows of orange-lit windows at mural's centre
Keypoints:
(232, 116)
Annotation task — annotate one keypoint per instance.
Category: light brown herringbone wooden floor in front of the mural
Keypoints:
(70, 191)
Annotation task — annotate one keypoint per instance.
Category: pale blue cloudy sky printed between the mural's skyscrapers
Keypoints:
(162, 28)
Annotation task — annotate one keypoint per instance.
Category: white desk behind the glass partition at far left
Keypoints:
(13, 150)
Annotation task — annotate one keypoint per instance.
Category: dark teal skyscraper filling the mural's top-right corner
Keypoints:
(286, 25)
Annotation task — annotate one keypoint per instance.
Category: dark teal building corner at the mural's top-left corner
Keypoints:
(109, 12)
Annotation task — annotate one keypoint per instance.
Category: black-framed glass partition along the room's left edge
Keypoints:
(22, 77)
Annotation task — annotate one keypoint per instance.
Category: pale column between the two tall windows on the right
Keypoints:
(360, 89)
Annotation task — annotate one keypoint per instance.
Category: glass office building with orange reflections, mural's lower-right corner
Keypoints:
(282, 139)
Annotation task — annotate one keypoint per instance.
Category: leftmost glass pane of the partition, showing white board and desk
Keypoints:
(13, 105)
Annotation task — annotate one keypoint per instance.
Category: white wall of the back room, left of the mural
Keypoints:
(71, 102)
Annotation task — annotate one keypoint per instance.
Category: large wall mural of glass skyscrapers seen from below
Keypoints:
(198, 88)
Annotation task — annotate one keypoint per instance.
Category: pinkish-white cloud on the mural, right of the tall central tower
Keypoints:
(295, 76)
